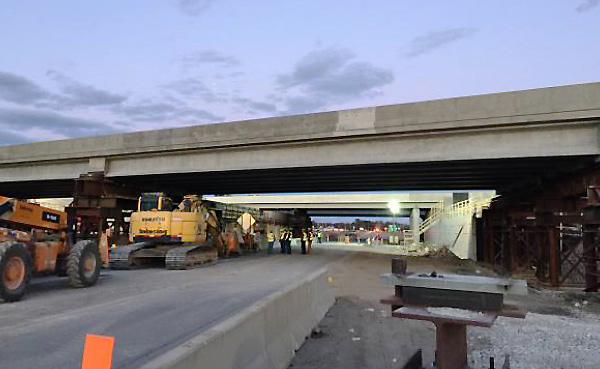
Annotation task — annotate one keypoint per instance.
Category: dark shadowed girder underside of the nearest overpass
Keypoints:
(503, 175)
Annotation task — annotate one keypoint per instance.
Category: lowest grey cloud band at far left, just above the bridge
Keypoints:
(32, 122)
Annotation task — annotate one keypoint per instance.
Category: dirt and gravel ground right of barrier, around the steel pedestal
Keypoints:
(562, 329)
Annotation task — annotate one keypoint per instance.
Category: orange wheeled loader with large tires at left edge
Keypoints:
(34, 241)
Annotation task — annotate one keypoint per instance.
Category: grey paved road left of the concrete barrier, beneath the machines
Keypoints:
(148, 311)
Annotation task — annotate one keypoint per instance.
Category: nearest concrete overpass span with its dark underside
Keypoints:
(497, 141)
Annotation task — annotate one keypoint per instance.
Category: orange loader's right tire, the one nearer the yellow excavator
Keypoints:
(83, 264)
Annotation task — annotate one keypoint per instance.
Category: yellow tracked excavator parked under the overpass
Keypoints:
(184, 237)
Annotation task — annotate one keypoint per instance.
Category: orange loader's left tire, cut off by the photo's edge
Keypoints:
(15, 270)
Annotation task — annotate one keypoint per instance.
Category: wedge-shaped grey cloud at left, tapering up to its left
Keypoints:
(80, 94)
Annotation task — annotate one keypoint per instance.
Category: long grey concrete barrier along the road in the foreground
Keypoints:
(264, 336)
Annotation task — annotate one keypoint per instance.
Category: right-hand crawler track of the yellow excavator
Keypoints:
(191, 256)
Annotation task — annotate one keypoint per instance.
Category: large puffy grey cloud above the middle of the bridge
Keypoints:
(328, 76)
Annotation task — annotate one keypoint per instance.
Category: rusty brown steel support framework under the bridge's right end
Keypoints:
(554, 229)
